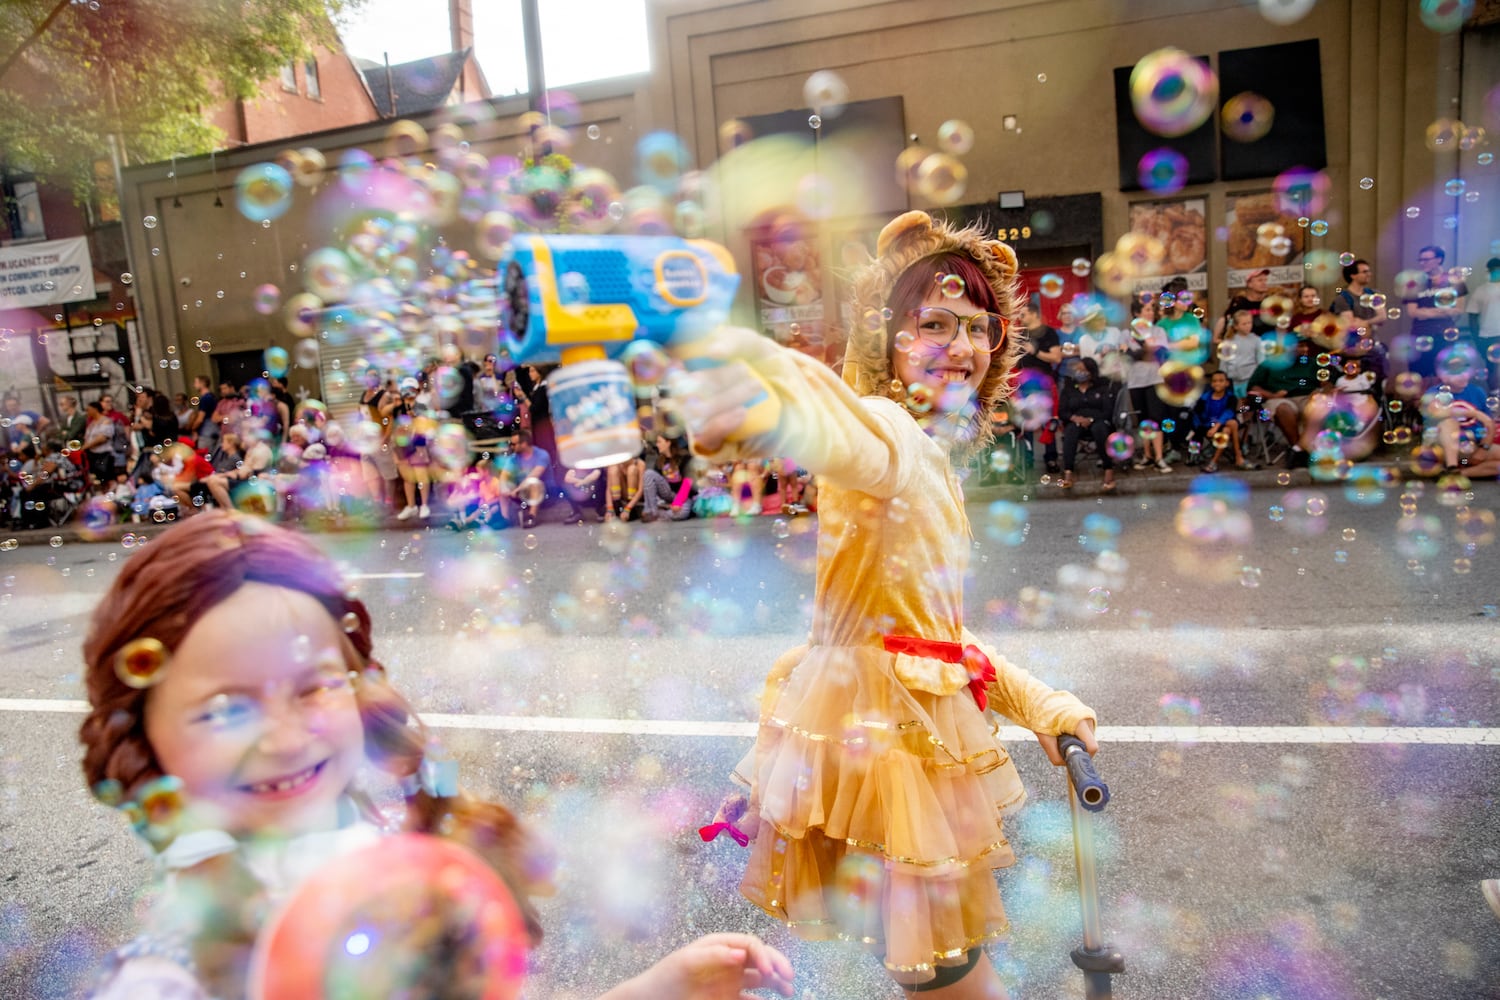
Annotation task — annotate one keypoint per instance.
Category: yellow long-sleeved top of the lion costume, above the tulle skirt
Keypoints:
(893, 542)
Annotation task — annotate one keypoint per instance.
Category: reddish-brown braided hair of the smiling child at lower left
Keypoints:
(161, 593)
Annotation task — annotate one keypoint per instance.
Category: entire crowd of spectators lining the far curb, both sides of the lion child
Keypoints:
(1277, 379)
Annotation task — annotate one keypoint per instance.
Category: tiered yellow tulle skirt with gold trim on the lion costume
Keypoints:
(877, 810)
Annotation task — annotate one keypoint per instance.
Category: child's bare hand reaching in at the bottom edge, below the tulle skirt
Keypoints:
(713, 968)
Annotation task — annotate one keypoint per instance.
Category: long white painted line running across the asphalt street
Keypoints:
(1387, 735)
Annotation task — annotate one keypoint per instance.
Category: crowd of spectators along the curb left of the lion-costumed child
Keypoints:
(460, 445)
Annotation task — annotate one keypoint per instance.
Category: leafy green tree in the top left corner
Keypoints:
(77, 73)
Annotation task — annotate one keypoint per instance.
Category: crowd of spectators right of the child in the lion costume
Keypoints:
(1277, 379)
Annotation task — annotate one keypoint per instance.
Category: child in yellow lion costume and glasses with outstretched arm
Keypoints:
(875, 762)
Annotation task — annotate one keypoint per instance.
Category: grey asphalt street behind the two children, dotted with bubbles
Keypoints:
(1300, 695)
